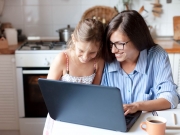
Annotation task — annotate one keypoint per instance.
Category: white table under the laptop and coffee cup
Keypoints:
(63, 128)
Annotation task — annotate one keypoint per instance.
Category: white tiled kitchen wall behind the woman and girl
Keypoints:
(44, 17)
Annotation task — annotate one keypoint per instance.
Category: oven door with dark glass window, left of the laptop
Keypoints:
(31, 102)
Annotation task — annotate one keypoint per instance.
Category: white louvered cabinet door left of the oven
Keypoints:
(8, 95)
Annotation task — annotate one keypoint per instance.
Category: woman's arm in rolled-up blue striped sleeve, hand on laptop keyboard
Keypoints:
(164, 89)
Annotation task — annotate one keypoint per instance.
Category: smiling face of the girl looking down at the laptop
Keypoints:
(86, 51)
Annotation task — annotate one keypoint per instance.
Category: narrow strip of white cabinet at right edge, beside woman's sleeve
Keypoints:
(176, 69)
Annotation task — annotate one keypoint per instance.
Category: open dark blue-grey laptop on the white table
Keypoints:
(90, 105)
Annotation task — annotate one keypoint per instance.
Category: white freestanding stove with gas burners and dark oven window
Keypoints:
(33, 59)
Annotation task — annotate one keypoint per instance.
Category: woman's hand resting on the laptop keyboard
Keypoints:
(130, 108)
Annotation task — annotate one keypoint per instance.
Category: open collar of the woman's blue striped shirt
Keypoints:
(140, 66)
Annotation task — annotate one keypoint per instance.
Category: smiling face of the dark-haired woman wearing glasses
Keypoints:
(126, 51)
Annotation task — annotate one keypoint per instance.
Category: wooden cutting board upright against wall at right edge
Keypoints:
(176, 26)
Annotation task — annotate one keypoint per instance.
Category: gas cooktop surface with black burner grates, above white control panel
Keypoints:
(42, 46)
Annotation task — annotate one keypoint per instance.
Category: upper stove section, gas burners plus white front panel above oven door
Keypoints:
(38, 53)
